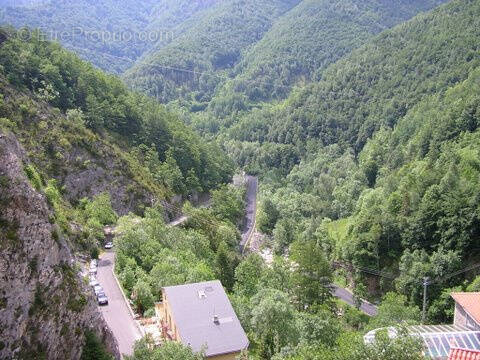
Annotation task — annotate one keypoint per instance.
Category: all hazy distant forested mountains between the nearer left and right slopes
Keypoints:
(277, 43)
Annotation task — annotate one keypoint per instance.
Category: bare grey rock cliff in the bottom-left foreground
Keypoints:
(45, 306)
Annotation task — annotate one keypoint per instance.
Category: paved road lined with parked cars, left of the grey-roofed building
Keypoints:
(116, 313)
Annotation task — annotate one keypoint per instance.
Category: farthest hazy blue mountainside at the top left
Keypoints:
(110, 34)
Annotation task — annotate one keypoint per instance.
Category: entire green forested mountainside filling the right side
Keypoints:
(407, 201)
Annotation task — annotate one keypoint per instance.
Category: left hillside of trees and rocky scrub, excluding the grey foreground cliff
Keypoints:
(97, 114)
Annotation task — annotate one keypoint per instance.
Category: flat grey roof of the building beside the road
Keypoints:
(193, 308)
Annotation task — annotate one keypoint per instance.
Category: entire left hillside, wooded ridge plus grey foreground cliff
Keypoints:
(72, 158)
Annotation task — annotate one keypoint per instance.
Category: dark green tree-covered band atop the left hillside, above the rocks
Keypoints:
(103, 108)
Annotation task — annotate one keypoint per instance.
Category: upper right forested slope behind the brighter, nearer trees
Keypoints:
(372, 87)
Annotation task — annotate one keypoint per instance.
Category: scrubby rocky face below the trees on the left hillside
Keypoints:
(84, 164)
